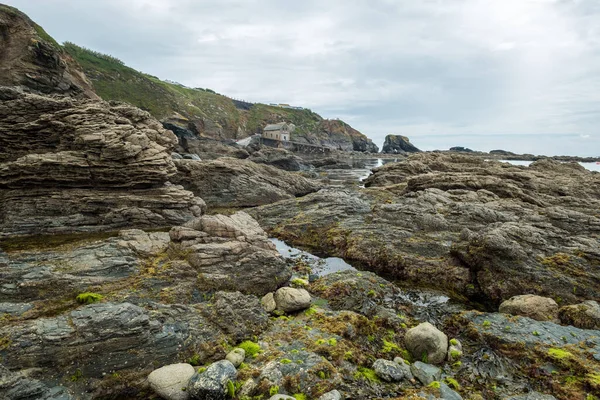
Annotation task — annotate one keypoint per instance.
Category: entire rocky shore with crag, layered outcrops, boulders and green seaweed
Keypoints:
(128, 270)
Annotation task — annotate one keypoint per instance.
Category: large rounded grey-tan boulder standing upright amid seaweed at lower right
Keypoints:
(425, 341)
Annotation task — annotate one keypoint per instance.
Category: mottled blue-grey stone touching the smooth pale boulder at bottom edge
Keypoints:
(212, 383)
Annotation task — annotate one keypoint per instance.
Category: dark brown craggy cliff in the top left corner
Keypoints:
(32, 59)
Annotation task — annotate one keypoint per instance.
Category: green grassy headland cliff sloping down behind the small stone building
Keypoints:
(202, 113)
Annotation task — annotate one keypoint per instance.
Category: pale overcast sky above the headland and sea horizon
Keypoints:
(519, 75)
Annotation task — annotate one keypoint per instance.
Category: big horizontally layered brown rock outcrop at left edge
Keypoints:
(83, 165)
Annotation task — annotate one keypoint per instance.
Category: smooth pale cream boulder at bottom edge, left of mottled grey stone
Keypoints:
(170, 382)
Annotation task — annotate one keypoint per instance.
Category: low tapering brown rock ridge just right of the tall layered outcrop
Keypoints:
(229, 182)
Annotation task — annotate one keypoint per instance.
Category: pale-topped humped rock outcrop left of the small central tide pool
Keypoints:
(231, 253)
